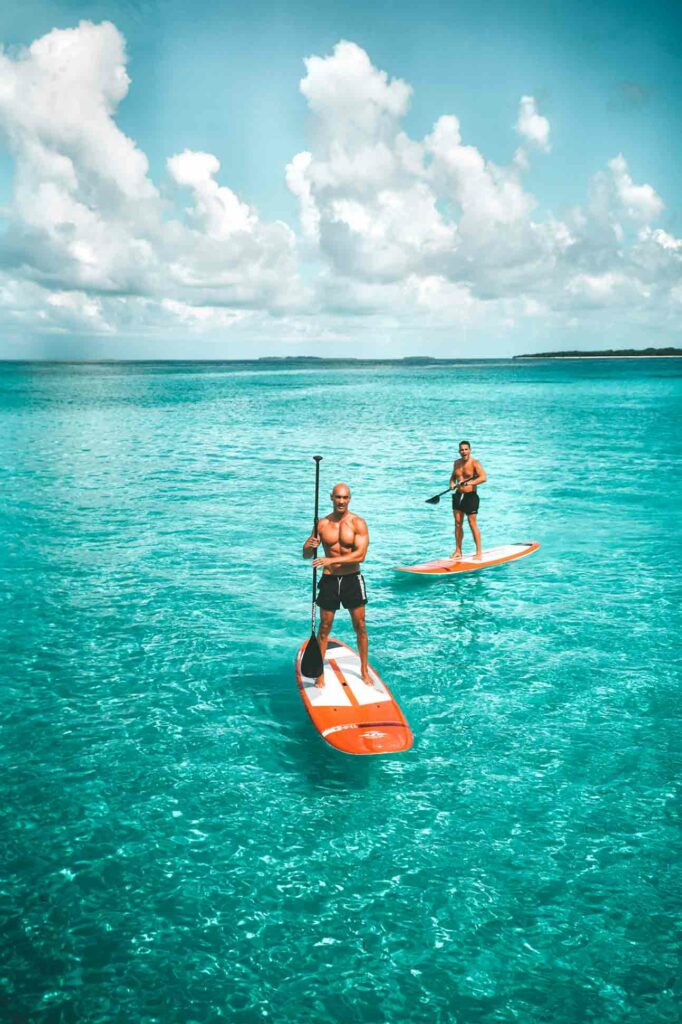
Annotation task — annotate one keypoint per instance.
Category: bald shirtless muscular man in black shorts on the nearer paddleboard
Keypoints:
(346, 539)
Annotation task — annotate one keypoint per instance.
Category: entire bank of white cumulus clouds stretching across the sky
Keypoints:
(406, 234)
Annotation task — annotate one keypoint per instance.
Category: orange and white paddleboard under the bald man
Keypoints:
(353, 717)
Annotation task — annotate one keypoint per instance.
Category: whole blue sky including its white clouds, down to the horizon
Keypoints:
(497, 234)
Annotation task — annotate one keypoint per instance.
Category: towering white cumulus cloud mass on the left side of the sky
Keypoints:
(86, 215)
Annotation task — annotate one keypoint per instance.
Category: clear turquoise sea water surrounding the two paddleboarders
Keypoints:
(178, 843)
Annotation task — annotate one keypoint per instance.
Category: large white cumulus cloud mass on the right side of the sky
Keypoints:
(434, 218)
